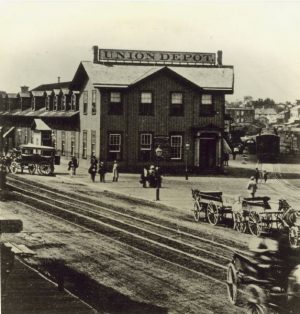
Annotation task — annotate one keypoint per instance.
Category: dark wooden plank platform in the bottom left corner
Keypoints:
(27, 291)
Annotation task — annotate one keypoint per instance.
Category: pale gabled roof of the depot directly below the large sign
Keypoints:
(207, 78)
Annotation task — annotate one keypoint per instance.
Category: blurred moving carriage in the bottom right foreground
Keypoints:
(261, 281)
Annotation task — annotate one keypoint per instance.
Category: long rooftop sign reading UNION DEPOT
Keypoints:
(141, 56)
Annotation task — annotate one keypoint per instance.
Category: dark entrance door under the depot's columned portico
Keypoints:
(207, 153)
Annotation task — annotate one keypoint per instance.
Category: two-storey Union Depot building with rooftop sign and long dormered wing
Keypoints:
(123, 105)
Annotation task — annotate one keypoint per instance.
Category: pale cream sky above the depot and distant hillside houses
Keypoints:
(41, 40)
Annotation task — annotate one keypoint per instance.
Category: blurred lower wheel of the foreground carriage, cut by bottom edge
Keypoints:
(256, 300)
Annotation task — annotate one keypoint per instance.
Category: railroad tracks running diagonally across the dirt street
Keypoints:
(165, 241)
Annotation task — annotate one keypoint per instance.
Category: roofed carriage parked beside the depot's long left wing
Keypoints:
(34, 158)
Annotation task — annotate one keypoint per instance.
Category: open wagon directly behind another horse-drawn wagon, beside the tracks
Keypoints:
(210, 206)
